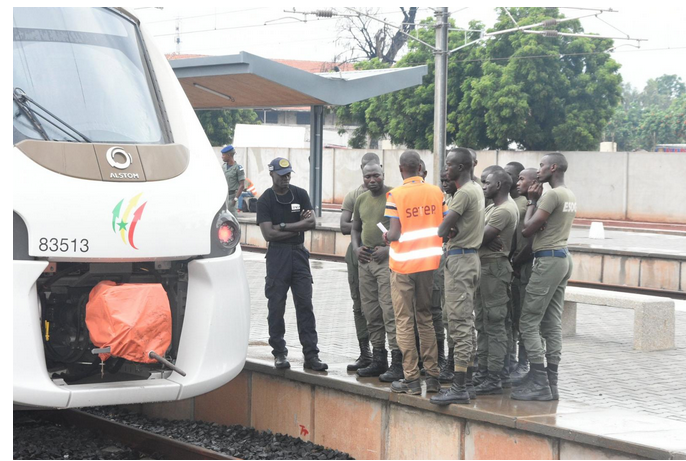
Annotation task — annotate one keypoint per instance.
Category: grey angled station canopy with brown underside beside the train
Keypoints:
(247, 81)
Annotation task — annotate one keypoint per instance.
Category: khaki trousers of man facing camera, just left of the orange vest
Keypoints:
(377, 306)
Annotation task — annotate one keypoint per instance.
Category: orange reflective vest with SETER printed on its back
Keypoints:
(420, 209)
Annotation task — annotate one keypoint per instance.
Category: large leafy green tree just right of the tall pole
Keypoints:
(541, 93)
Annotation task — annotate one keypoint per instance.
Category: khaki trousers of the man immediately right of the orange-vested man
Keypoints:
(462, 274)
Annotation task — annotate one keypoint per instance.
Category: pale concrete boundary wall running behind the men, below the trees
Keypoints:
(637, 186)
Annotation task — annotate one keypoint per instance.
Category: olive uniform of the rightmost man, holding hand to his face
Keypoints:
(552, 268)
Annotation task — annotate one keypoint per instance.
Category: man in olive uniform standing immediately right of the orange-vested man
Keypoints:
(464, 223)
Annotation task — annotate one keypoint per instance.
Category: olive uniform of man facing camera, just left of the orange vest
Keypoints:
(375, 277)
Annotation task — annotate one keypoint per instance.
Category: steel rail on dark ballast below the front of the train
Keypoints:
(140, 440)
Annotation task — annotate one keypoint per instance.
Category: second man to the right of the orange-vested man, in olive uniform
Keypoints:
(491, 306)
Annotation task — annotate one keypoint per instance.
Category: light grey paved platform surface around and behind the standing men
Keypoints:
(599, 366)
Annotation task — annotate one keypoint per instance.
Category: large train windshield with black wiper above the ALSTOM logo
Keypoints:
(80, 75)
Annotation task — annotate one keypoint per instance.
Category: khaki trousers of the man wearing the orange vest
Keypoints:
(411, 295)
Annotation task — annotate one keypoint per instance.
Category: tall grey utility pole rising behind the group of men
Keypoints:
(441, 88)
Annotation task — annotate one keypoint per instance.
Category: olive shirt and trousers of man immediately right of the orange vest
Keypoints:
(463, 270)
